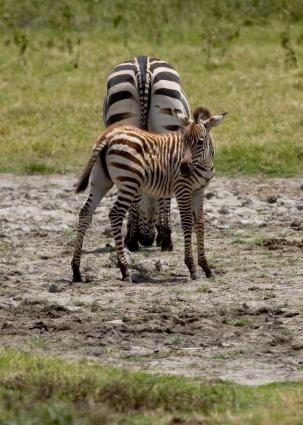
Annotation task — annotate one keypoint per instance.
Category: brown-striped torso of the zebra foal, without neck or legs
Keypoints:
(148, 161)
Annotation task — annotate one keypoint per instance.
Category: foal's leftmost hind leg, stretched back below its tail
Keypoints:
(100, 185)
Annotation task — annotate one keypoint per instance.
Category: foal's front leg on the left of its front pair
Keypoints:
(184, 200)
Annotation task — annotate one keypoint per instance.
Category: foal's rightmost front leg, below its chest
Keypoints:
(198, 214)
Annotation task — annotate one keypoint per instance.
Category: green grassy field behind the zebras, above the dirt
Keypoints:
(244, 57)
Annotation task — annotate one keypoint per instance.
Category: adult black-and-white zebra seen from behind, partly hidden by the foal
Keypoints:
(135, 89)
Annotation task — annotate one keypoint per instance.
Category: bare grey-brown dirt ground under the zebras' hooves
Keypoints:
(245, 325)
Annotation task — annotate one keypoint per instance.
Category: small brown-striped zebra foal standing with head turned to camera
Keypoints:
(177, 163)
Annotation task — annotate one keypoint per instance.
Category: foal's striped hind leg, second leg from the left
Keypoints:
(116, 216)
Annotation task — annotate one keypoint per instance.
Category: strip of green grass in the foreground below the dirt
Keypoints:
(39, 390)
